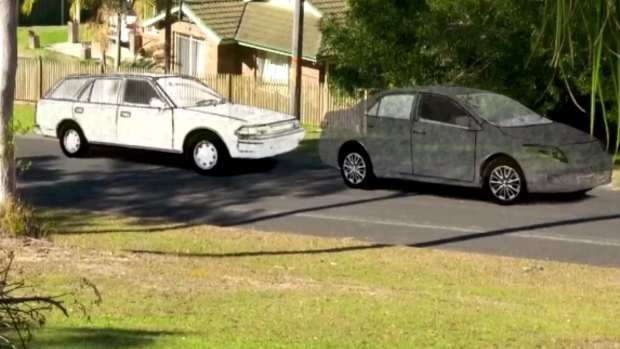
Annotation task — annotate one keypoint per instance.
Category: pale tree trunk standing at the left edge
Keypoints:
(8, 64)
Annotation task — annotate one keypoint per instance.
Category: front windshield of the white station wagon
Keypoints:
(186, 92)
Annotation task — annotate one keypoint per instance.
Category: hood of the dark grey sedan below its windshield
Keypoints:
(552, 133)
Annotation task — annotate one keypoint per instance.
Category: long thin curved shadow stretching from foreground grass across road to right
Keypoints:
(422, 244)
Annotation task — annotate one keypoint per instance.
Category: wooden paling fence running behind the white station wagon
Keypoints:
(35, 76)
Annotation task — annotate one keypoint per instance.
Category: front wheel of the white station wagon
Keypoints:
(216, 155)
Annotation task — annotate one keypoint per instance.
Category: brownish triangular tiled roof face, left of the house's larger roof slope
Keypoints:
(221, 16)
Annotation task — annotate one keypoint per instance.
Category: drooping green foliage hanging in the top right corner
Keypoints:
(587, 35)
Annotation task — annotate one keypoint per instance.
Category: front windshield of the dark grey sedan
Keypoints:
(503, 111)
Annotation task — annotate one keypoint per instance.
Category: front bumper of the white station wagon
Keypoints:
(269, 147)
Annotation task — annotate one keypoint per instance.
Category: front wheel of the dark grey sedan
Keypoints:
(504, 181)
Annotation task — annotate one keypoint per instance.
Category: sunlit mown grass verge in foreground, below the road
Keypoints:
(206, 287)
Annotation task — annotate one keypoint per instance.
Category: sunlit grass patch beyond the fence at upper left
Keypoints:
(48, 35)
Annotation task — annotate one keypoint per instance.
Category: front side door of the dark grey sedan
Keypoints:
(444, 139)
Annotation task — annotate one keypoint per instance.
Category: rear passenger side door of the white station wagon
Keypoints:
(95, 110)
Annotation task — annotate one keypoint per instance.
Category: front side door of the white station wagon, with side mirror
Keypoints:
(144, 120)
